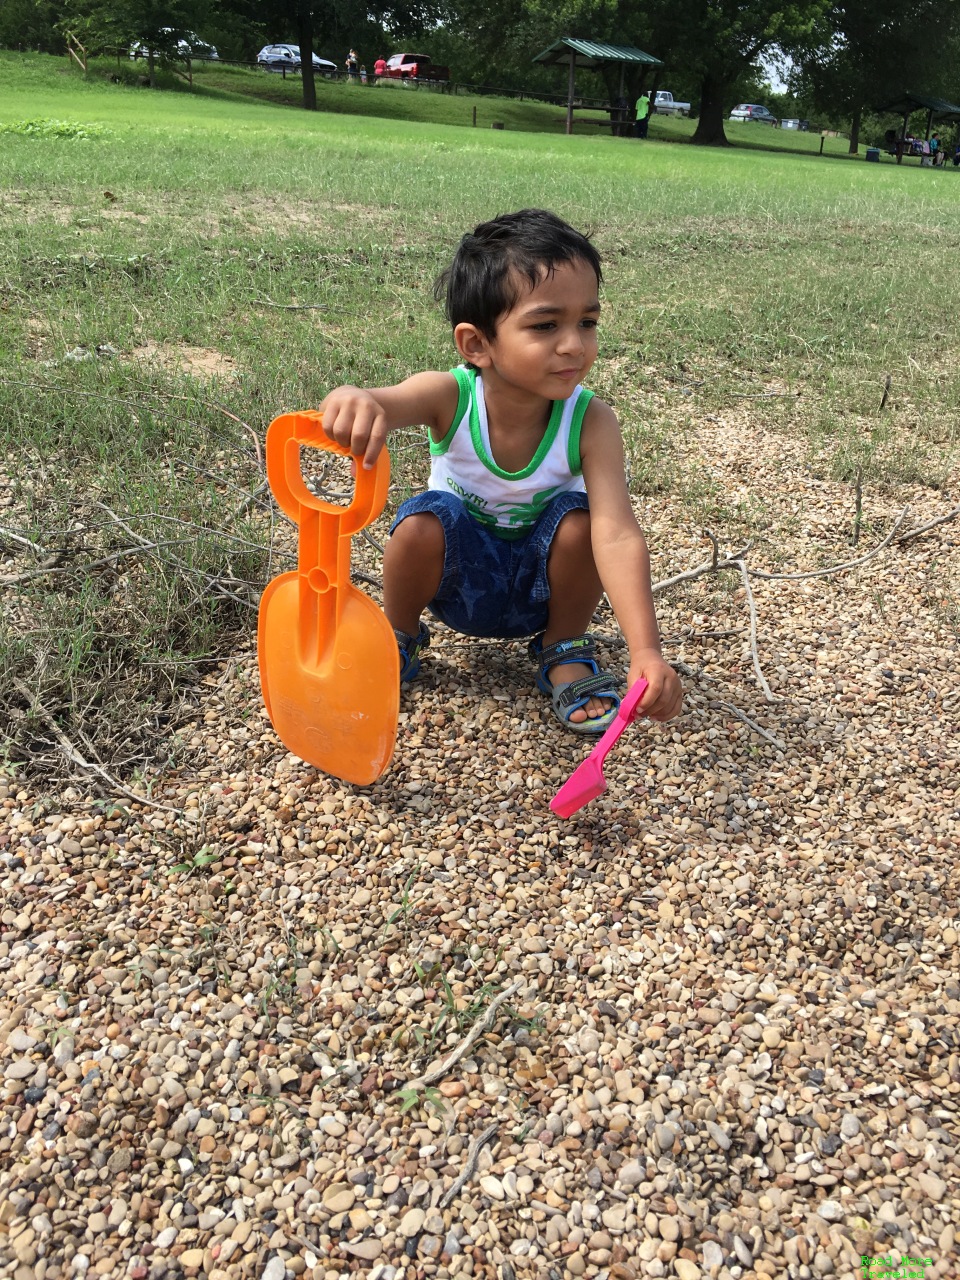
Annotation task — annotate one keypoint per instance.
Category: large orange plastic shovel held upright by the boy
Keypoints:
(330, 665)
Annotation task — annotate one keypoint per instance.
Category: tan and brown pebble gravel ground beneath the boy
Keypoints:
(710, 1027)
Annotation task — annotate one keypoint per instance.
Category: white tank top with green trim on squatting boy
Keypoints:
(508, 502)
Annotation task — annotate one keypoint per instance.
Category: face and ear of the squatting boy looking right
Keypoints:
(547, 342)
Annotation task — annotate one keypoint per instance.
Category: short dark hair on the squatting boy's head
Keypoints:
(483, 280)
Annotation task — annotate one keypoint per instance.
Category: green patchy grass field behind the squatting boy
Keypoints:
(150, 241)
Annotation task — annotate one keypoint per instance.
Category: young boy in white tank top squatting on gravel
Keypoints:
(527, 520)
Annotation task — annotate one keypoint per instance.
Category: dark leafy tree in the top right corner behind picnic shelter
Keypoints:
(871, 51)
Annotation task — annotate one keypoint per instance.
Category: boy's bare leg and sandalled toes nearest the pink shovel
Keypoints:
(575, 593)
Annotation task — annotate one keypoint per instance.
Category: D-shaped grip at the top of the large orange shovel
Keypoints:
(285, 438)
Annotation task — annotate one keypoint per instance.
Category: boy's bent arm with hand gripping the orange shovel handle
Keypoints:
(362, 419)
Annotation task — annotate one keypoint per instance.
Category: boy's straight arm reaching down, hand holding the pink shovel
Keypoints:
(623, 560)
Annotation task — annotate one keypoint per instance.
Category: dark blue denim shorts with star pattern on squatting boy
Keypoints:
(491, 587)
